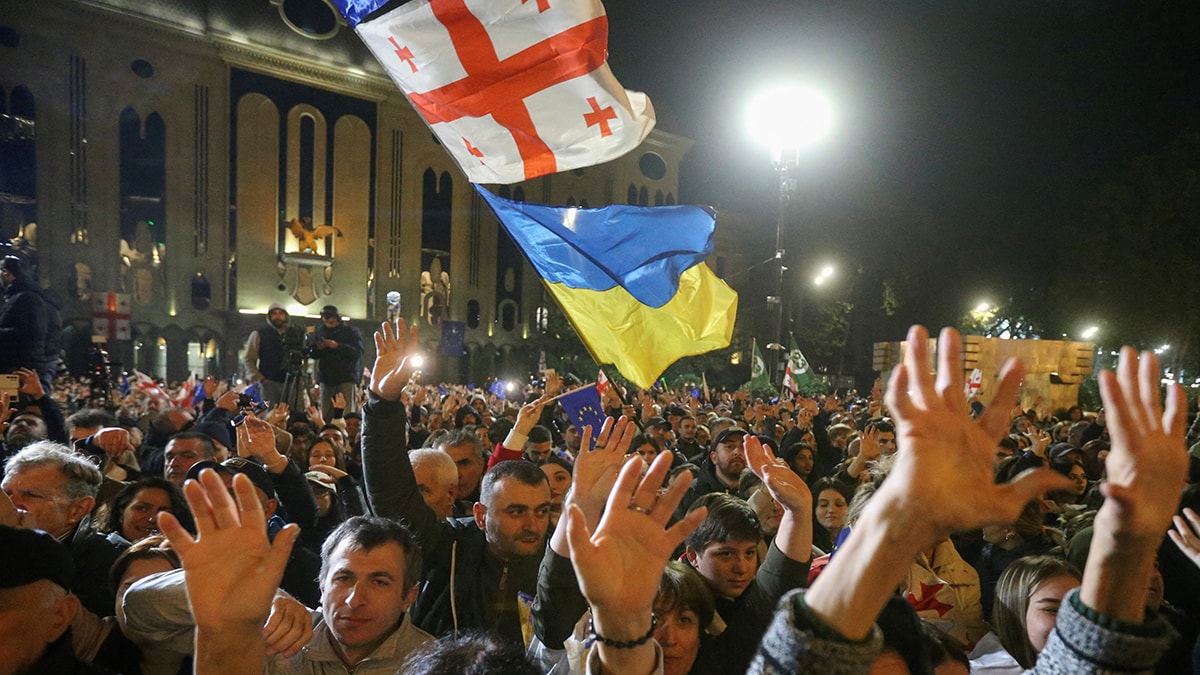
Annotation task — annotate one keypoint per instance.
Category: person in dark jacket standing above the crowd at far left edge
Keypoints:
(22, 321)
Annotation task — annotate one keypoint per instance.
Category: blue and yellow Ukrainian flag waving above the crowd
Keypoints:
(632, 280)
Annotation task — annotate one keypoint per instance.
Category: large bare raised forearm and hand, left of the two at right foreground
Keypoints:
(941, 483)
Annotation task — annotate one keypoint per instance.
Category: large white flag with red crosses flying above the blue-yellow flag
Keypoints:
(514, 89)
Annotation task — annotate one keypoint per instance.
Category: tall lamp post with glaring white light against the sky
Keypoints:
(787, 121)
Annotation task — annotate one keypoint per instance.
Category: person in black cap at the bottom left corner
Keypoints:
(37, 606)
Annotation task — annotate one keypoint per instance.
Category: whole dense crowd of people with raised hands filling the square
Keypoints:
(407, 528)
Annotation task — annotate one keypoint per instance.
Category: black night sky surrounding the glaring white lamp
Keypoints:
(999, 121)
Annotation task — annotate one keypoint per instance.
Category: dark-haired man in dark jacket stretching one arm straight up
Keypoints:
(475, 568)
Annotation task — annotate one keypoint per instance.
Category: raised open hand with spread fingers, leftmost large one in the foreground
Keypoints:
(231, 569)
